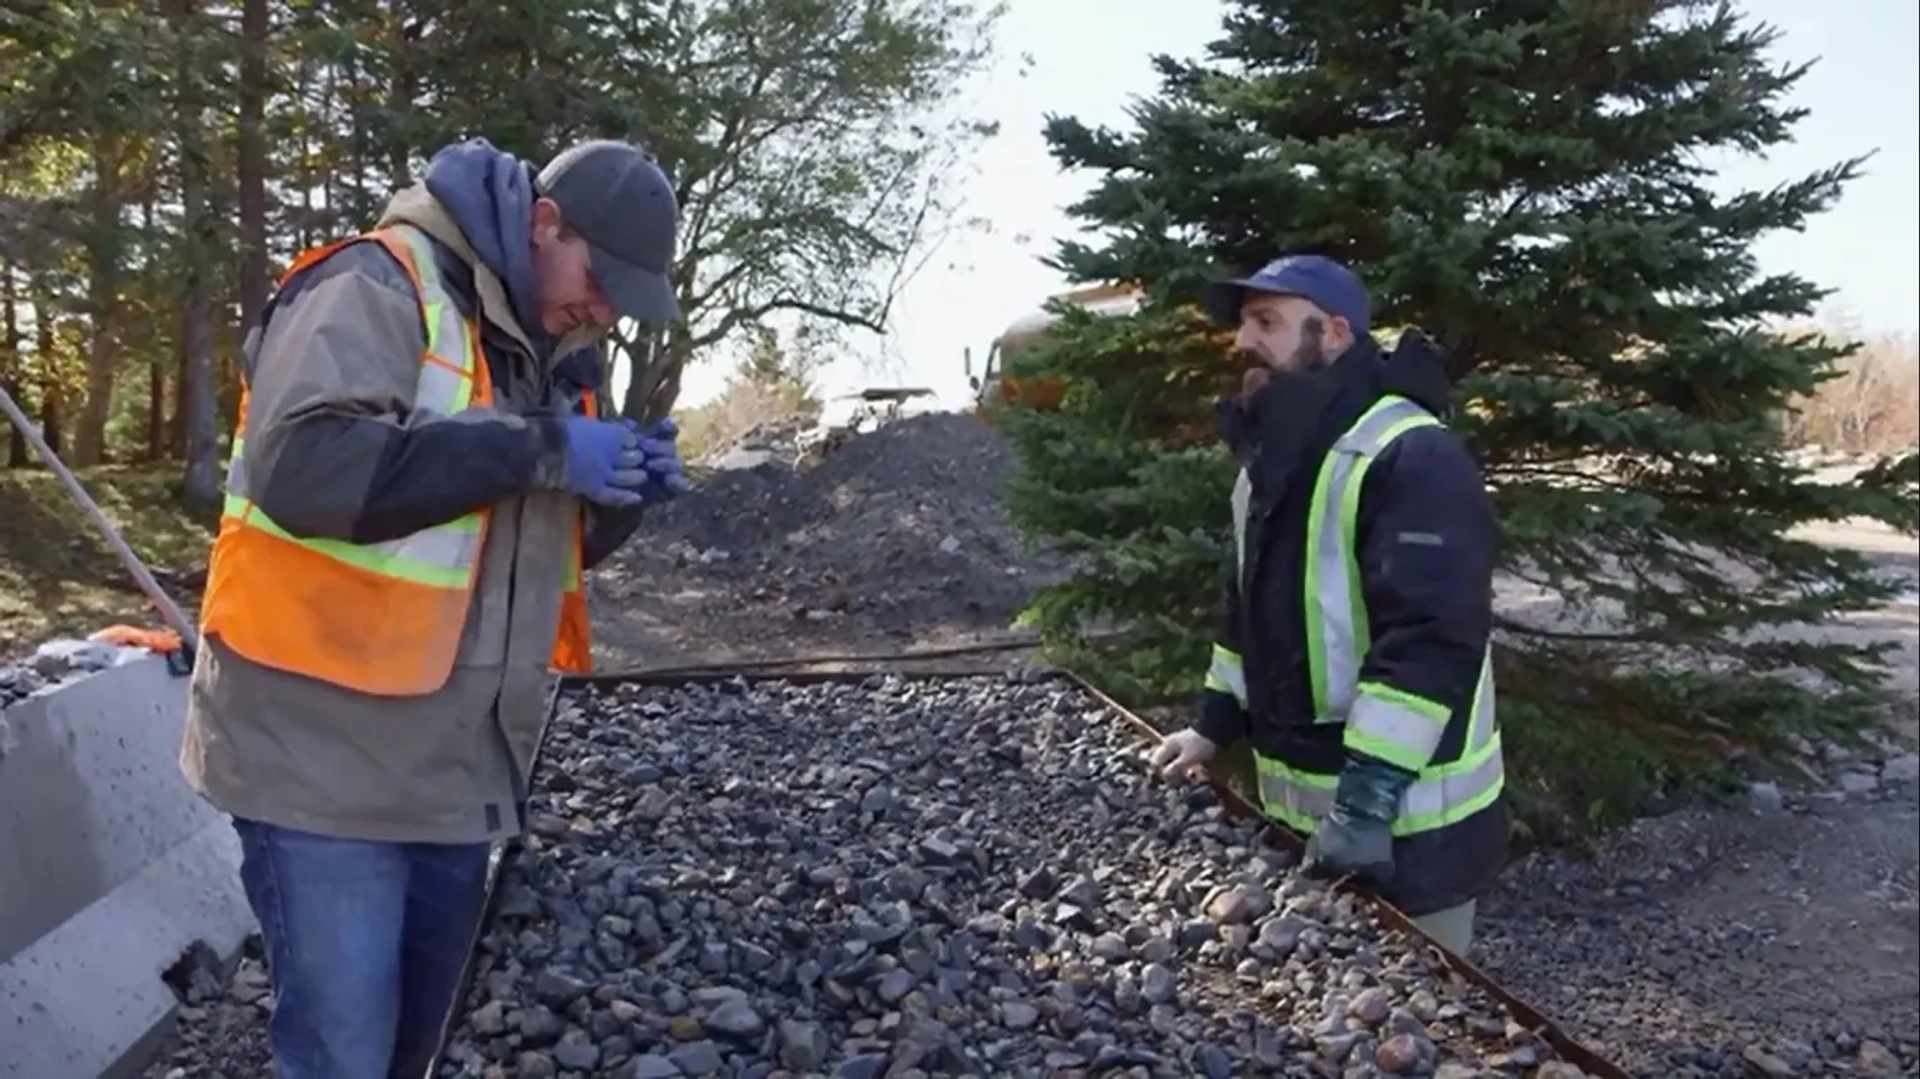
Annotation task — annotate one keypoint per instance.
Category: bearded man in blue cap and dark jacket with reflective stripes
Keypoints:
(1355, 646)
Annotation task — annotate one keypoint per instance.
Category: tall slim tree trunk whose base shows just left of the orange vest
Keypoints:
(203, 420)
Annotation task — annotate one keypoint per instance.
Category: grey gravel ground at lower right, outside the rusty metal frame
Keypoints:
(1775, 942)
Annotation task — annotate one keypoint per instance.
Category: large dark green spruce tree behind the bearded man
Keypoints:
(1522, 180)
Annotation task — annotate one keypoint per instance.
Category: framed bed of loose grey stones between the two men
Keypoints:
(928, 878)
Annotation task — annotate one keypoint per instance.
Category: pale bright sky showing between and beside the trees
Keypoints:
(1090, 59)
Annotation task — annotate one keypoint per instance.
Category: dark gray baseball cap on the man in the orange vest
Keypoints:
(621, 203)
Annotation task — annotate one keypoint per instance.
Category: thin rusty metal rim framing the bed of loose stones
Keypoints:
(796, 671)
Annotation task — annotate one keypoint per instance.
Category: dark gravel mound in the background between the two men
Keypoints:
(901, 529)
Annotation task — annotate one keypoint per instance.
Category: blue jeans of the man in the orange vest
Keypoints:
(366, 947)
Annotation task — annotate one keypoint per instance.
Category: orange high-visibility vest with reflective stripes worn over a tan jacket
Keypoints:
(383, 619)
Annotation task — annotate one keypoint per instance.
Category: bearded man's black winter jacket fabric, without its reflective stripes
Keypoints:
(1426, 540)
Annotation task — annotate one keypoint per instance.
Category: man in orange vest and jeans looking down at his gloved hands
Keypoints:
(418, 485)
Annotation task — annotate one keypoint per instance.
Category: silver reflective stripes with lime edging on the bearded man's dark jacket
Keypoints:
(1380, 721)
